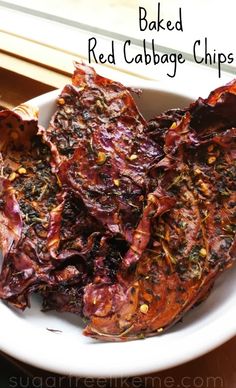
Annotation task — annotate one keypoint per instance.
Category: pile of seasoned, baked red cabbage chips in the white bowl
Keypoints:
(124, 222)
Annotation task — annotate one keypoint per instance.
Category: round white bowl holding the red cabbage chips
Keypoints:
(24, 335)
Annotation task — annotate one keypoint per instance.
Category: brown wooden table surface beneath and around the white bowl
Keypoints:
(214, 370)
